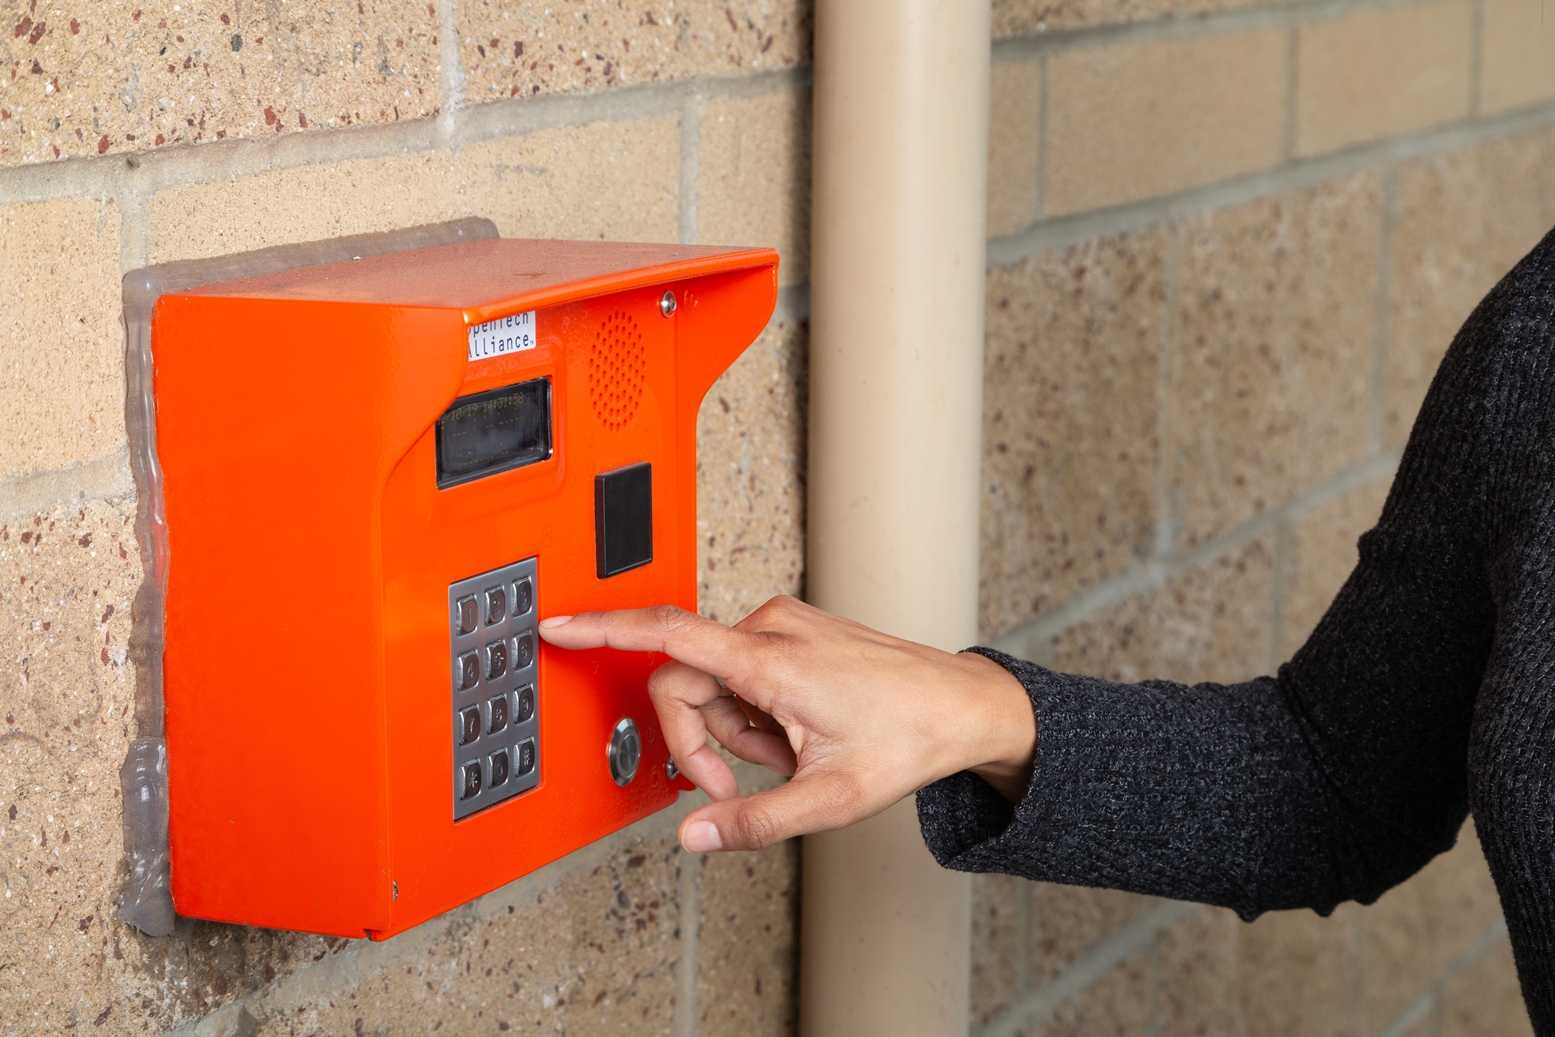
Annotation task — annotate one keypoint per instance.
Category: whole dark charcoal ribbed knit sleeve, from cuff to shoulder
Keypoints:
(1330, 781)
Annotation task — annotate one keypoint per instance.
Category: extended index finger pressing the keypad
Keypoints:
(685, 637)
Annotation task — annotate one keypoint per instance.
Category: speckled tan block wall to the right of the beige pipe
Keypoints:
(1232, 240)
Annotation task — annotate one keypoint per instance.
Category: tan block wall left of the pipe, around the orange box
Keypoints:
(144, 131)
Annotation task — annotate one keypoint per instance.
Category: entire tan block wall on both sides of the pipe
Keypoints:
(1229, 242)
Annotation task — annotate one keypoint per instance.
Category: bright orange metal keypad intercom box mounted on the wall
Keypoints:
(379, 477)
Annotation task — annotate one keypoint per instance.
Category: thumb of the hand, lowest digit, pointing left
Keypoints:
(814, 801)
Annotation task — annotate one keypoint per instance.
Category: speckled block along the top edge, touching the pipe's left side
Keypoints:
(528, 47)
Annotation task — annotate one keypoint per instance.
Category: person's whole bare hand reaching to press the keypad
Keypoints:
(856, 718)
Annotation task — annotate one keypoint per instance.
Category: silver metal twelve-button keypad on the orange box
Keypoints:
(495, 686)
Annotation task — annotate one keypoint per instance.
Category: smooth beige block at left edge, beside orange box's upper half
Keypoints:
(61, 347)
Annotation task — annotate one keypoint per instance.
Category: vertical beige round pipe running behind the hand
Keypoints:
(896, 414)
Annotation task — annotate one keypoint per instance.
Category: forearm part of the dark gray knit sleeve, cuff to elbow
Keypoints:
(1203, 794)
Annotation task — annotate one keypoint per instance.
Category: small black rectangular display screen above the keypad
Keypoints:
(494, 431)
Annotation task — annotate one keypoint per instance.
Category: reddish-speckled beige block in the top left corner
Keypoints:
(94, 77)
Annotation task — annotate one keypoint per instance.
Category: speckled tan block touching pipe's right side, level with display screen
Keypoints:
(1071, 422)
